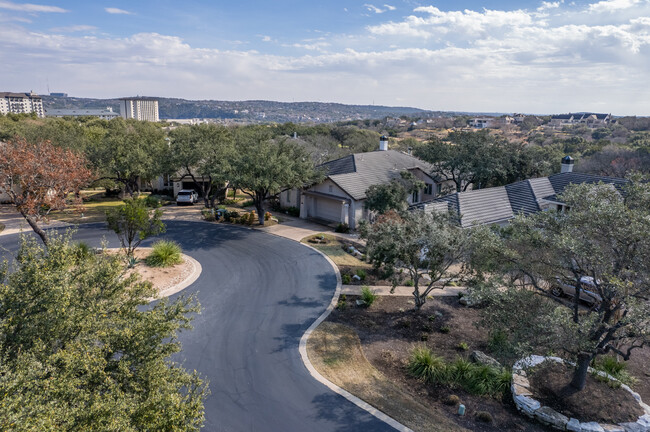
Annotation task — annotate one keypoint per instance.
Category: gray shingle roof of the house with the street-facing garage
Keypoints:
(356, 173)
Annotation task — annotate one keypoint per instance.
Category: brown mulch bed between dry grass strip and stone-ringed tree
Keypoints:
(391, 328)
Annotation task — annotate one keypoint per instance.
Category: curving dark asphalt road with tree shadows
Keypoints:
(259, 293)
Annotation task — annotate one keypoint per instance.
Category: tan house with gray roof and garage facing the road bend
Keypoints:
(340, 197)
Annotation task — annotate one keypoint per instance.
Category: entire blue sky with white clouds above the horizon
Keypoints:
(507, 56)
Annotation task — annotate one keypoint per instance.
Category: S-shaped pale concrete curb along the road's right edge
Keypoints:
(318, 377)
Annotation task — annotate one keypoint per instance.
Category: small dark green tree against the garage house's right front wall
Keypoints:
(394, 195)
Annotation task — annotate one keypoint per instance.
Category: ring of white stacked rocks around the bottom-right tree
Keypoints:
(523, 398)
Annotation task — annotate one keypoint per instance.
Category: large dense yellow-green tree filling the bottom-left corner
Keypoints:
(80, 352)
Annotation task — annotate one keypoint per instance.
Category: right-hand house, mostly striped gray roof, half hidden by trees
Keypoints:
(497, 205)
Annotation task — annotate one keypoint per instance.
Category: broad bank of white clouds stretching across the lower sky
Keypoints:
(486, 60)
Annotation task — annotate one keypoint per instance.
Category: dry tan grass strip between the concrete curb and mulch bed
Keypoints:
(335, 351)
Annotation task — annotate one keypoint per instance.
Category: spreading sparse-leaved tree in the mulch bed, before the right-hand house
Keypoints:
(422, 243)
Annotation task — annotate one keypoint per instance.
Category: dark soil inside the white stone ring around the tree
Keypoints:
(597, 402)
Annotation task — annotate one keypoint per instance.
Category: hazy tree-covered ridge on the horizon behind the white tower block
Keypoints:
(255, 111)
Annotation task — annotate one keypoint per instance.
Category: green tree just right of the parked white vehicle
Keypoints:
(204, 151)
